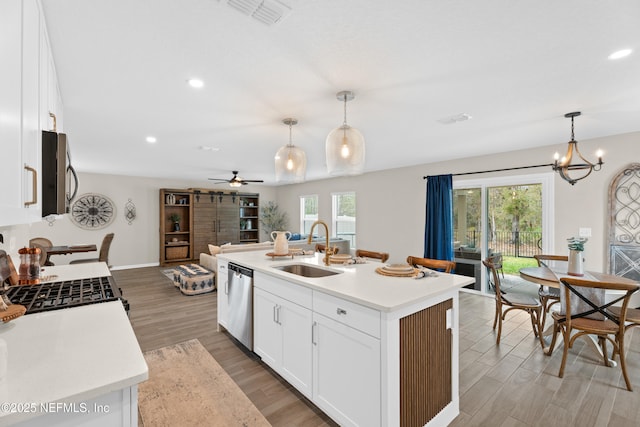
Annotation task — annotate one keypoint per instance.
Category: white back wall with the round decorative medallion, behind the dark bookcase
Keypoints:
(133, 245)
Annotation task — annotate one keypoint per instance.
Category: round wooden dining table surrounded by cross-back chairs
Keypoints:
(546, 276)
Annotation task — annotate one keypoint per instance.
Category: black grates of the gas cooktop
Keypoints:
(65, 294)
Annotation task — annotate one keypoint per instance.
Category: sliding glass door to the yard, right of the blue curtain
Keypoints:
(508, 218)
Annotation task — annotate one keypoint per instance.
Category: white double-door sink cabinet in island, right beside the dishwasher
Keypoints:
(282, 329)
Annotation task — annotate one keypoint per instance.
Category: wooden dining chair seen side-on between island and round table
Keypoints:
(513, 301)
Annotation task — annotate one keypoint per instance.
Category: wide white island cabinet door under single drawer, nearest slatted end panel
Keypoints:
(346, 373)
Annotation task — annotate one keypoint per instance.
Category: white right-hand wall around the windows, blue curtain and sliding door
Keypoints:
(391, 203)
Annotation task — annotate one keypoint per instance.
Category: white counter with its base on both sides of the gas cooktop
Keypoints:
(72, 366)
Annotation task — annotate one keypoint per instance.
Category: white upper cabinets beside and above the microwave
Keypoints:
(25, 54)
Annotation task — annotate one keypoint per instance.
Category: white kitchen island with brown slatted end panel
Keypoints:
(367, 349)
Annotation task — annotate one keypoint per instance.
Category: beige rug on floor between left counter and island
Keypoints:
(187, 387)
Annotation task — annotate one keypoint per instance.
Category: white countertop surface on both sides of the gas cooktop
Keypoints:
(68, 355)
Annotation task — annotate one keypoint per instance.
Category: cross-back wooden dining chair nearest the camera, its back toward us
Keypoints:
(592, 318)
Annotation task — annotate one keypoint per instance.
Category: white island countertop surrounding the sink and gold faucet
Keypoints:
(358, 283)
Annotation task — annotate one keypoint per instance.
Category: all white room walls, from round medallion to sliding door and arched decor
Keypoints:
(390, 204)
